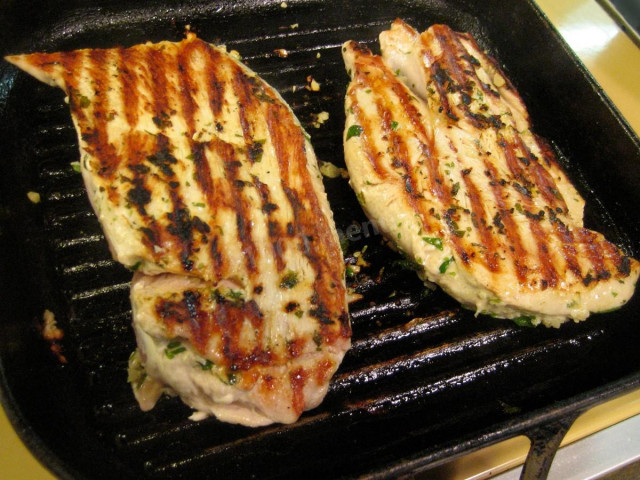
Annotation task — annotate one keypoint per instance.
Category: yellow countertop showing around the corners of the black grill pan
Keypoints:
(614, 61)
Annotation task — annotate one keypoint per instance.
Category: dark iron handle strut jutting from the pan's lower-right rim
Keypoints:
(545, 441)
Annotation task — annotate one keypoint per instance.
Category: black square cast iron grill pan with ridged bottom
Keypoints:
(424, 381)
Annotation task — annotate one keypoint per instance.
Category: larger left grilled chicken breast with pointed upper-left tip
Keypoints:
(206, 184)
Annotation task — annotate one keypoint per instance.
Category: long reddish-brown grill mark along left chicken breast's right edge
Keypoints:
(310, 224)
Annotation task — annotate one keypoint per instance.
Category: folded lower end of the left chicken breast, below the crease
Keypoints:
(246, 358)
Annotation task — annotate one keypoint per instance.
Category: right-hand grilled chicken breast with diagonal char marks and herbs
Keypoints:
(441, 156)
